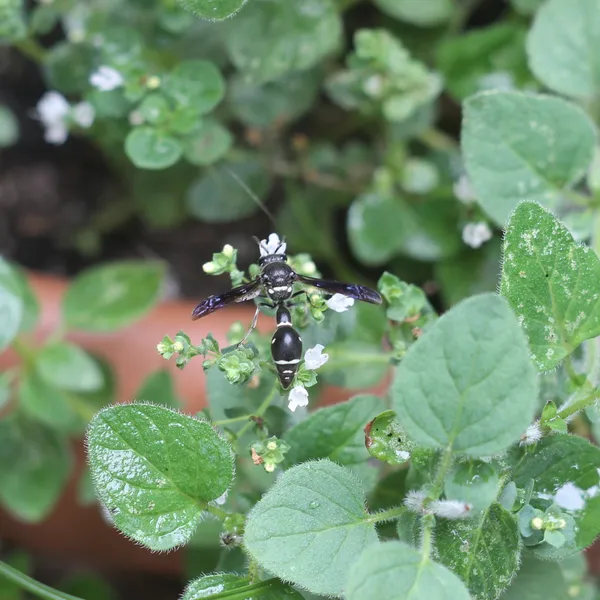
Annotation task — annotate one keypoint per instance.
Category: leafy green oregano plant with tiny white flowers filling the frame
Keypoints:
(465, 464)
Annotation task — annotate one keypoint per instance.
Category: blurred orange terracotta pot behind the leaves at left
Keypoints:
(79, 532)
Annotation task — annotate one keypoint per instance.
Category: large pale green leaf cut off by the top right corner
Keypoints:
(562, 47)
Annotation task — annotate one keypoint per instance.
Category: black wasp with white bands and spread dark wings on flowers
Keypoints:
(275, 286)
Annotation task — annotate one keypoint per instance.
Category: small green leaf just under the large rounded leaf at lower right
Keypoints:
(475, 482)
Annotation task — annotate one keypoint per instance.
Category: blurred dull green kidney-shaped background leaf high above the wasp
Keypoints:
(278, 101)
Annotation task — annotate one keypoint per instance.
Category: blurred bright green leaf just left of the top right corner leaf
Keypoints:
(472, 61)
